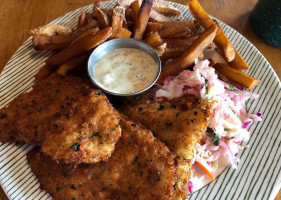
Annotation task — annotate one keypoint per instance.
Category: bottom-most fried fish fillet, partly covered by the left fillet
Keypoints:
(141, 167)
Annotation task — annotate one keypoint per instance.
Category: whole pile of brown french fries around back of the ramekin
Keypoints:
(174, 41)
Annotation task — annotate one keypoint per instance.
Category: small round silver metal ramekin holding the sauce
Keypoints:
(116, 44)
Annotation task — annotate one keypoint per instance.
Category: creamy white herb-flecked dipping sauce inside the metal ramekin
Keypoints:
(125, 70)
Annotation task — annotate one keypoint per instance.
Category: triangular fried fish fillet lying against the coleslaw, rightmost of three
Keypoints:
(179, 123)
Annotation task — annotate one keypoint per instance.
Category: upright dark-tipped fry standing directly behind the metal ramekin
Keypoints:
(142, 19)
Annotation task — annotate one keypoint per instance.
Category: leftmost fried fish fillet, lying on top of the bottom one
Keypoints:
(65, 116)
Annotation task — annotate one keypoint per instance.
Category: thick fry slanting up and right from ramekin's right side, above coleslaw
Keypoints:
(188, 57)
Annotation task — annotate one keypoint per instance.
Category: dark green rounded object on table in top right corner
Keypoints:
(266, 21)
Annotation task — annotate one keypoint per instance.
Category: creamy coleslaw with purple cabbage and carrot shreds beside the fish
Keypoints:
(227, 128)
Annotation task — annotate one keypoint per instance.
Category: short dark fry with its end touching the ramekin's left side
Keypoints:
(72, 64)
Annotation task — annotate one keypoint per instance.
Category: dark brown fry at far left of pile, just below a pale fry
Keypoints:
(44, 42)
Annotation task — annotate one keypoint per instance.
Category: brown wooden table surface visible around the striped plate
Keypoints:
(17, 17)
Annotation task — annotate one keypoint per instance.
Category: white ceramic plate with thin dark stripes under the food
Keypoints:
(258, 175)
